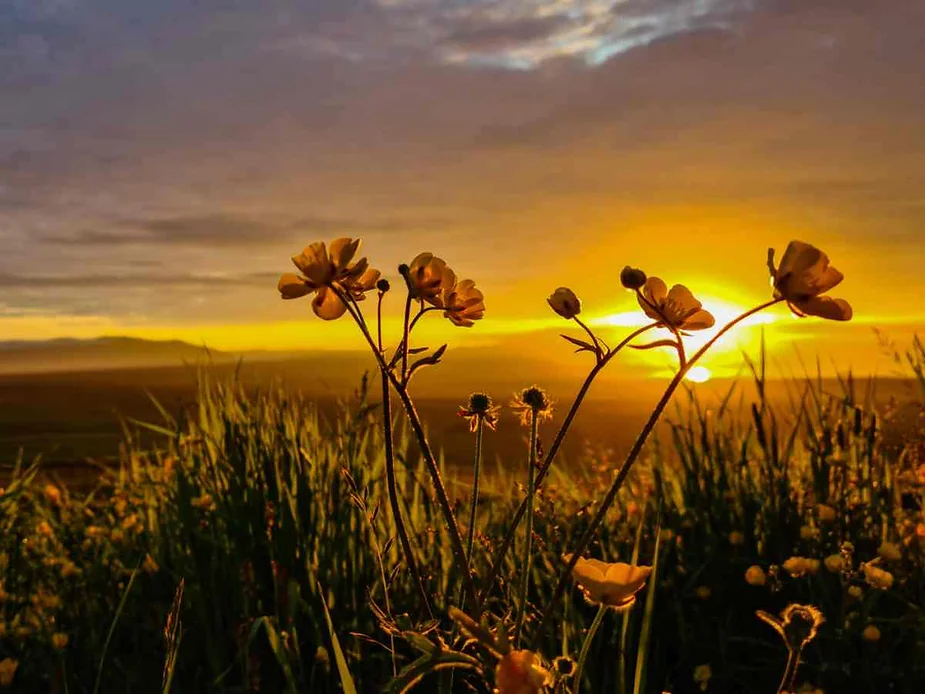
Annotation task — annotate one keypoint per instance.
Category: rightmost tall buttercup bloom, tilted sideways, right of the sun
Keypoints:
(803, 276)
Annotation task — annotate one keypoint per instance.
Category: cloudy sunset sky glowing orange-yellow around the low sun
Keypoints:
(161, 161)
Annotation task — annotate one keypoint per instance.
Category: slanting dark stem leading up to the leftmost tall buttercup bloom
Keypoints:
(430, 461)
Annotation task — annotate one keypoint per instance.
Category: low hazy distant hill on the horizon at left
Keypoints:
(66, 354)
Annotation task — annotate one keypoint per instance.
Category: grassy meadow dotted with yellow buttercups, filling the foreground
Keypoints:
(254, 542)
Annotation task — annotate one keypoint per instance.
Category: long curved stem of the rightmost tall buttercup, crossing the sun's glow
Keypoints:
(630, 459)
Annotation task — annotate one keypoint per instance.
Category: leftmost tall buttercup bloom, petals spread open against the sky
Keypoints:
(324, 269)
